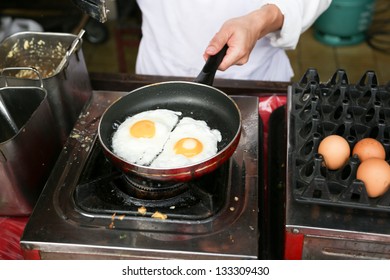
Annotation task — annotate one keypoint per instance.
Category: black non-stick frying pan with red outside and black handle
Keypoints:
(198, 100)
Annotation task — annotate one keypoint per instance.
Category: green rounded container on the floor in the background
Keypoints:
(345, 22)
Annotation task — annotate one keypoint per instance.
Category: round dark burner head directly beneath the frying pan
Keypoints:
(148, 189)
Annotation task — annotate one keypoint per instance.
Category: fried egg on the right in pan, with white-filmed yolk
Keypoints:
(192, 141)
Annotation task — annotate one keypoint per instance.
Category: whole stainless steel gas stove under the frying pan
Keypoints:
(90, 210)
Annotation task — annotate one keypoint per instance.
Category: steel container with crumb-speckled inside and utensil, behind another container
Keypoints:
(68, 86)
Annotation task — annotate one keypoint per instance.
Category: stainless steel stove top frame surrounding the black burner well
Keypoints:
(57, 229)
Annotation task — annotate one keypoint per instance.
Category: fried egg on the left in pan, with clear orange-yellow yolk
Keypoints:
(140, 138)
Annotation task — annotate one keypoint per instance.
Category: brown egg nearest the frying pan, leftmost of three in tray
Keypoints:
(335, 150)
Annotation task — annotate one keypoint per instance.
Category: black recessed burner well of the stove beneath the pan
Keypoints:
(102, 189)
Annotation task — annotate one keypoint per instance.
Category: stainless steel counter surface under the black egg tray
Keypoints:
(340, 225)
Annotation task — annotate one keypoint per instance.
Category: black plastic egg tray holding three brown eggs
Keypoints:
(354, 111)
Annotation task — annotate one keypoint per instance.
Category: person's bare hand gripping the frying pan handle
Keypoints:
(242, 33)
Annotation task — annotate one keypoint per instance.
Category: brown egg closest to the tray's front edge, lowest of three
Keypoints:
(375, 174)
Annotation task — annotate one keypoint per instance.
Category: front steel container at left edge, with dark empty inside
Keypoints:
(28, 153)
